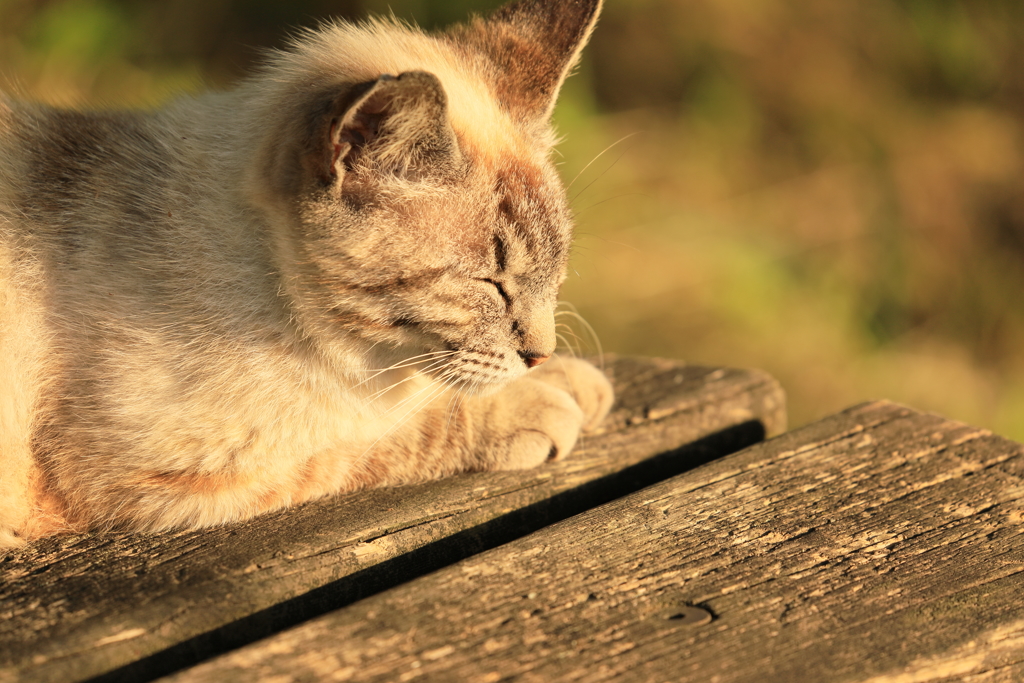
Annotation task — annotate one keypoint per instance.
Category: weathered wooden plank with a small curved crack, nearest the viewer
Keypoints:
(878, 545)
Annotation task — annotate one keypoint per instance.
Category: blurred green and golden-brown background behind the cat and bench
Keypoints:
(831, 191)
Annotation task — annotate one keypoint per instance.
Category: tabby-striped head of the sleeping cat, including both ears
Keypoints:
(424, 214)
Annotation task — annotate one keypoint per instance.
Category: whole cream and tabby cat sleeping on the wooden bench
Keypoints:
(342, 274)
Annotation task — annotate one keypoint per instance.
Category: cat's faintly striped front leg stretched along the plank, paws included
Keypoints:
(432, 434)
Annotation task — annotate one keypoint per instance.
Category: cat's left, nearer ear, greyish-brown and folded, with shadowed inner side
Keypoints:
(397, 125)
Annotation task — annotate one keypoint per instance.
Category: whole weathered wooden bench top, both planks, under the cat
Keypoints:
(877, 545)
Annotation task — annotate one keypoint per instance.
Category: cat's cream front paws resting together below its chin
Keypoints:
(540, 417)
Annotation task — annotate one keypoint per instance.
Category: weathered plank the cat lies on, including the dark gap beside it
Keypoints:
(122, 607)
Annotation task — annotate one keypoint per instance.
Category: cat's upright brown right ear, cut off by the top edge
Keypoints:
(534, 46)
